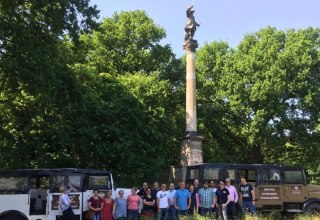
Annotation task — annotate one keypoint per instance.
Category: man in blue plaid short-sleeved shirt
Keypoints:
(207, 199)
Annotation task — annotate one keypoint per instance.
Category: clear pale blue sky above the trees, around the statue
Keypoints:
(220, 20)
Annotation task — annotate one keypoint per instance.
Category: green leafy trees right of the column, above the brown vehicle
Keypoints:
(261, 101)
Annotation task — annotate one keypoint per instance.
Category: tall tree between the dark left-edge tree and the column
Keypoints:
(133, 107)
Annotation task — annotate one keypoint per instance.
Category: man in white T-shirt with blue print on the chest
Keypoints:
(163, 202)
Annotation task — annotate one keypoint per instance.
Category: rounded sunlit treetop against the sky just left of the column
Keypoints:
(128, 42)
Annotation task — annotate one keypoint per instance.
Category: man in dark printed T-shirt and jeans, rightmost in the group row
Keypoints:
(247, 197)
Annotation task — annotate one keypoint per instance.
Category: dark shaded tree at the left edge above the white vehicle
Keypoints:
(37, 86)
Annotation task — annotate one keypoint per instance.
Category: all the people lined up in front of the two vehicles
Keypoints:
(162, 203)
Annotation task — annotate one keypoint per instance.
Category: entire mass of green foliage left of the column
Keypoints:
(72, 98)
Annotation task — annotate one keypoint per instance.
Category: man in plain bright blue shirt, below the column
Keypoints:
(182, 199)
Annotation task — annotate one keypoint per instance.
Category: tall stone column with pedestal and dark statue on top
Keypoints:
(191, 144)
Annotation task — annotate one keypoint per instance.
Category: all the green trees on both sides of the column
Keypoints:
(75, 92)
